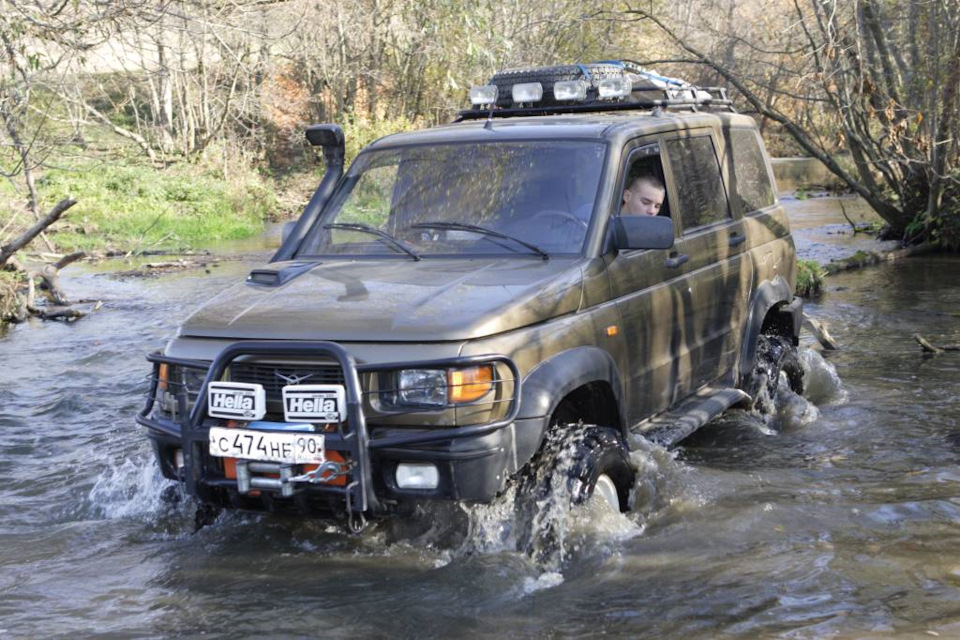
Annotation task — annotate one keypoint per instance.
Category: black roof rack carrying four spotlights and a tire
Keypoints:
(613, 85)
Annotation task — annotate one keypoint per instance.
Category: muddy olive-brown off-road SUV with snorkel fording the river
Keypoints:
(465, 292)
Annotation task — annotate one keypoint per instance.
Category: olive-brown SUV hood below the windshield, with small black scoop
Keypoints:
(393, 300)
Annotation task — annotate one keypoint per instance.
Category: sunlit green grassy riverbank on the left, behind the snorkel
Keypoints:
(126, 203)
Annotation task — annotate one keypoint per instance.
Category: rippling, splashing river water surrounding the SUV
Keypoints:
(838, 517)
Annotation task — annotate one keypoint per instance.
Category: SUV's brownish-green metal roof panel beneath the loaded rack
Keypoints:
(589, 126)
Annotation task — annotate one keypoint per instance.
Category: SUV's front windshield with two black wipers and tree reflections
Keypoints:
(533, 198)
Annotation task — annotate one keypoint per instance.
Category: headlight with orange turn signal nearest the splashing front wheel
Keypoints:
(438, 387)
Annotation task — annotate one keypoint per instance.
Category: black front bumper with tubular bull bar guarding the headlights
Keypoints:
(472, 461)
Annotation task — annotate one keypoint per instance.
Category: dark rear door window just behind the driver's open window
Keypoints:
(696, 173)
